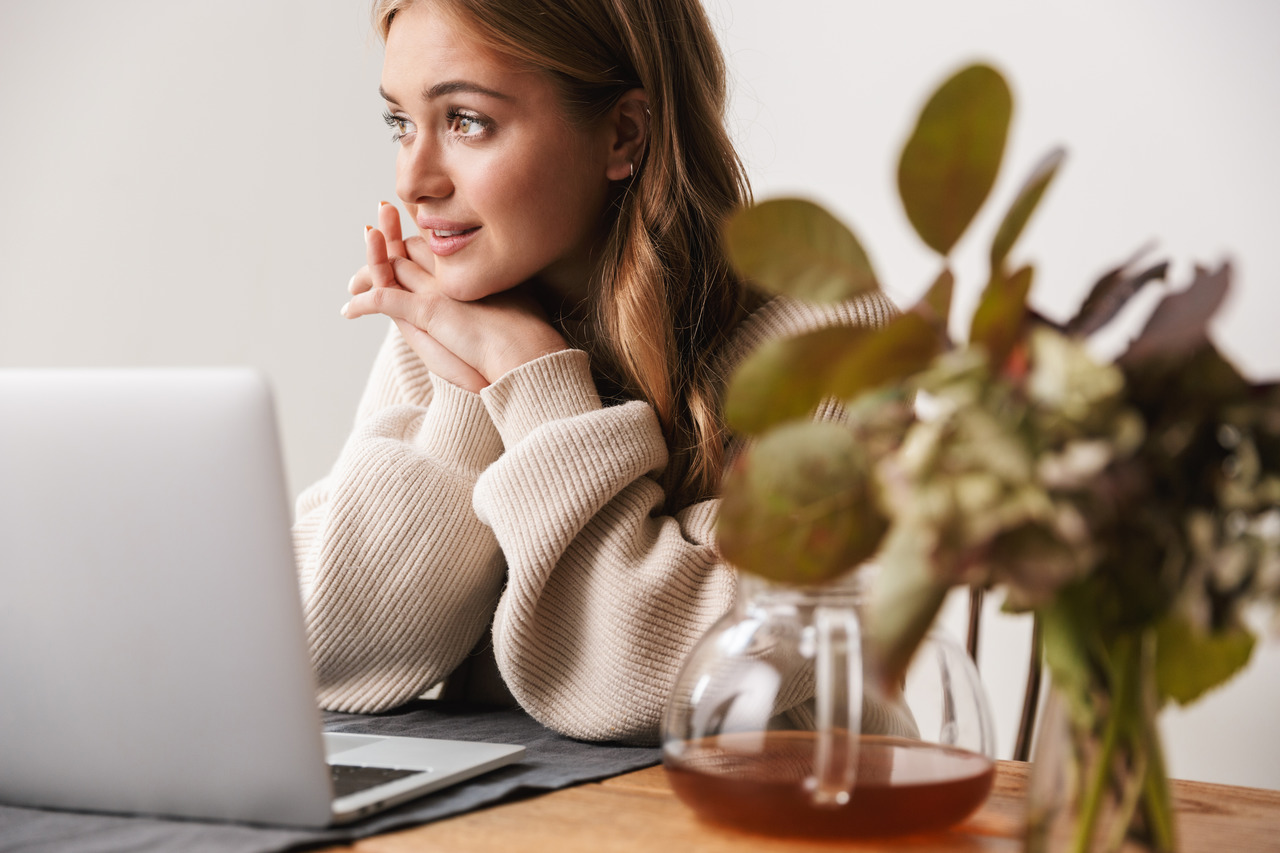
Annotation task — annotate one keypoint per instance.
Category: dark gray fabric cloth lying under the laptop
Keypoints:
(552, 761)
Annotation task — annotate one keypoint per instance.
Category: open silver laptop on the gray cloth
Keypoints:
(153, 655)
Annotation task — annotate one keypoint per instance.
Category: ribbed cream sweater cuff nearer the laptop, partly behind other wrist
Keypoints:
(458, 431)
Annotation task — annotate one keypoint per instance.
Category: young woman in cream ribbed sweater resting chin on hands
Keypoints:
(534, 468)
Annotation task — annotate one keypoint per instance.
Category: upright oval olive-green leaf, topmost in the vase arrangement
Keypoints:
(953, 157)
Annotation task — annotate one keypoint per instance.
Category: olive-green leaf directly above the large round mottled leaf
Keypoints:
(785, 378)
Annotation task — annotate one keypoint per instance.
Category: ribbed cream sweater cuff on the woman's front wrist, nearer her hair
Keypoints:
(550, 389)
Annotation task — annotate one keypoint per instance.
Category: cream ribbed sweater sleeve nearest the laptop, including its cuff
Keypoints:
(400, 578)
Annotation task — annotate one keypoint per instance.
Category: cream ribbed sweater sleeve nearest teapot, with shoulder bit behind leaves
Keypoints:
(606, 596)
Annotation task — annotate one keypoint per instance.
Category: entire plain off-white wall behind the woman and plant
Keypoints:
(188, 184)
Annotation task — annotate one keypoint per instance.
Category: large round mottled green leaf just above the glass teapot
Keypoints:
(799, 507)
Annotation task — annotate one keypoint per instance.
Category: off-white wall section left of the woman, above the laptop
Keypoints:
(188, 184)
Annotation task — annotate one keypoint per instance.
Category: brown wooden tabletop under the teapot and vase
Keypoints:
(639, 813)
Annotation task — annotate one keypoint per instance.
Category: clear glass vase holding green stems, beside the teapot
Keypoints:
(1099, 782)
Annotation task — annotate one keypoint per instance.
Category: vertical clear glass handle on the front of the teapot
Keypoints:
(839, 706)
